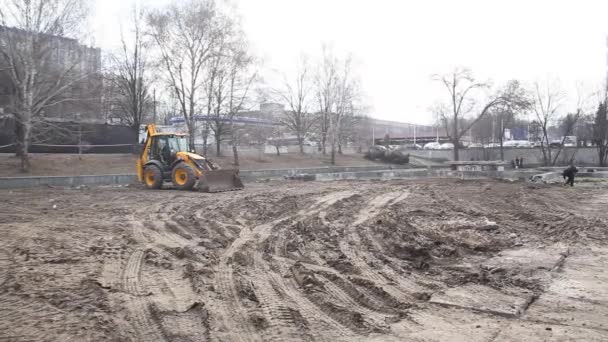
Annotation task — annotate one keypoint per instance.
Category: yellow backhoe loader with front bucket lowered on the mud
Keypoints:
(166, 158)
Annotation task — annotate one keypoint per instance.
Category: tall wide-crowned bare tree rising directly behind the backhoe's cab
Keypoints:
(185, 33)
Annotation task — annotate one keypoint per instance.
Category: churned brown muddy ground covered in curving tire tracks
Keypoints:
(416, 260)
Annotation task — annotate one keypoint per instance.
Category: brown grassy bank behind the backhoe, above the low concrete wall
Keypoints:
(99, 164)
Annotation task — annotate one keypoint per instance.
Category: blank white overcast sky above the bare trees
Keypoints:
(398, 44)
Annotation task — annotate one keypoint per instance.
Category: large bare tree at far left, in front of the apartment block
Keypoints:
(27, 31)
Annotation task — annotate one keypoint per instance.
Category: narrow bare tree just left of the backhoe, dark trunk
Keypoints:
(130, 76)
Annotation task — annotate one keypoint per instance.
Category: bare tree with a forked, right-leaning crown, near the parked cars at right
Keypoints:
(461, 86)
